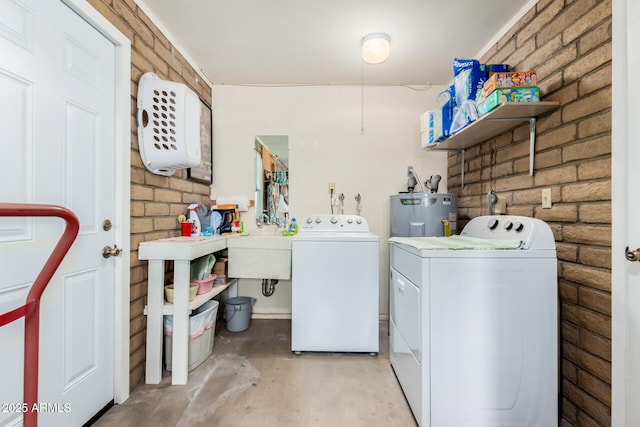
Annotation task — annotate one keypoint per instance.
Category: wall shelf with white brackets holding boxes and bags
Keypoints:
(503, 118)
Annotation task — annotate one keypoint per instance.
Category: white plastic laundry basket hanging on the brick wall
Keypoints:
(168, 125)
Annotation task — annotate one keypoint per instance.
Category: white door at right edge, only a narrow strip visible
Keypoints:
(626, 207)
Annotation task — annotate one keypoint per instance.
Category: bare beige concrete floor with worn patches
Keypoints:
(253, 379)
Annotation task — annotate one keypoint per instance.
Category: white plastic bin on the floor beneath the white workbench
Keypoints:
(202, 326)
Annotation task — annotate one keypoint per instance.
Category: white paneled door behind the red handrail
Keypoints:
(57, 144)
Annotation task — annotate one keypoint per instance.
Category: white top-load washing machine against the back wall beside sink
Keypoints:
(335, 285)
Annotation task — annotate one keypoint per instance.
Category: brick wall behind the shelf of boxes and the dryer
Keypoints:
(568, 43)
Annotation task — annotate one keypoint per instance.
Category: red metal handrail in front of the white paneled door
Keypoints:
(31, 309)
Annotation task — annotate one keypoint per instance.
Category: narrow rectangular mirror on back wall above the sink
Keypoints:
(272, 178)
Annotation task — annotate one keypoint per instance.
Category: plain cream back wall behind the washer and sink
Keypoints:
(325, 144)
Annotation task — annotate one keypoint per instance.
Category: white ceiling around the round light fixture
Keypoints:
(317, 42)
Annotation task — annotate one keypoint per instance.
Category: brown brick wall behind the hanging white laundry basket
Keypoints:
(156, 200)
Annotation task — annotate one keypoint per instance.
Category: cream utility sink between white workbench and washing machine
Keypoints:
(264, 255)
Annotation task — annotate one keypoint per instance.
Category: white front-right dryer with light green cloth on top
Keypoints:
(474, 324)
